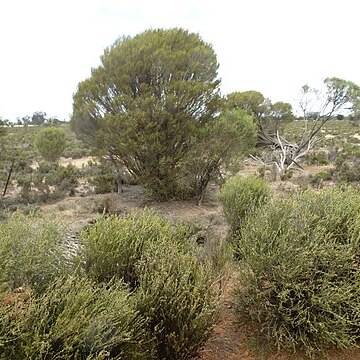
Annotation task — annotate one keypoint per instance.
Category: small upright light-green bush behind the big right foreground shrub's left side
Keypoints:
(240, 196)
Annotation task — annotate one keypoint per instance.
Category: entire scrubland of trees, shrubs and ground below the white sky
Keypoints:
(184, 199)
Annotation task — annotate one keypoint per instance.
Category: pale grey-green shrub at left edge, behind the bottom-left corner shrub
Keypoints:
(31, 252)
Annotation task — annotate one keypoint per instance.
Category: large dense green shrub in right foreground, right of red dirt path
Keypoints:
(301, 270)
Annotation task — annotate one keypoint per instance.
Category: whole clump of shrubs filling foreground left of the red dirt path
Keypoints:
(140, 291)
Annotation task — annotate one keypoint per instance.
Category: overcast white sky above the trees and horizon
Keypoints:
(273, 46)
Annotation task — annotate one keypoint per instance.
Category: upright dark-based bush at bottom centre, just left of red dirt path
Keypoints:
(177, 297)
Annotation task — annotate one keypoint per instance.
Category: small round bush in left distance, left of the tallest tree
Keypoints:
(51, 143)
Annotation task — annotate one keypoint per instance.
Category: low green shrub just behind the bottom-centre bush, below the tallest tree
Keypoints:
(113, 246)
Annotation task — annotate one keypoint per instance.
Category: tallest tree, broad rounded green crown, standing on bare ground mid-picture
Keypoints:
(153, 106)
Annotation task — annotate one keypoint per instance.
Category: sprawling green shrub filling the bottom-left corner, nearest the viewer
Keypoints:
(74, 319)
